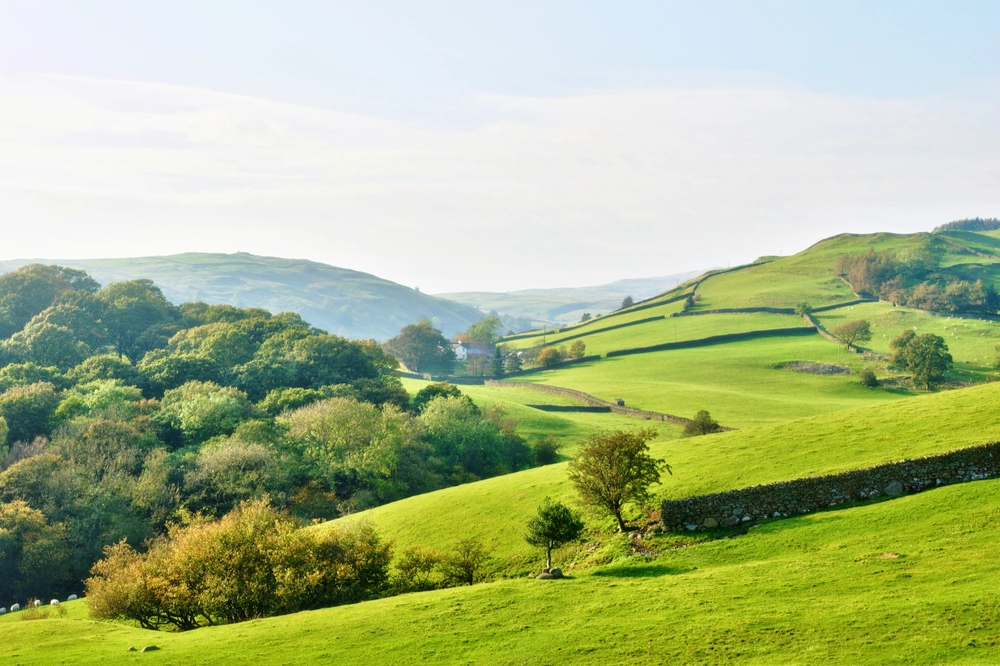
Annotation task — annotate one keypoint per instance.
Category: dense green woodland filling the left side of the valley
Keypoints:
(121, 414)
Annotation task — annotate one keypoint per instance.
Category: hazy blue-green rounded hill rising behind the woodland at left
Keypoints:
(341, 301)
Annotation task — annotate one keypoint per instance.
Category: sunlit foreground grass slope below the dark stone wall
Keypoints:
(904, 581)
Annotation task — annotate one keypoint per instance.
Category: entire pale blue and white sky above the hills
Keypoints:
(460, 146)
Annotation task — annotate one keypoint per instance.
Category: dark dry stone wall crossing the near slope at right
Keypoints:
(790, 498)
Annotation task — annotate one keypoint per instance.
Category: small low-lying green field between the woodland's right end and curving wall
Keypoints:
(570, 428)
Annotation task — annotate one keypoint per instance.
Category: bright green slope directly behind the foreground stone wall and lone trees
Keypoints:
(495, 510)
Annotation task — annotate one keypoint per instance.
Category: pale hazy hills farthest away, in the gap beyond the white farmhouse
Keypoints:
(565, 305)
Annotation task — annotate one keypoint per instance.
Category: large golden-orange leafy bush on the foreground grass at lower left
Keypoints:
(253, 563)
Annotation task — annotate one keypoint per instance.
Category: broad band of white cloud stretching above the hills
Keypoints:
(515, 192)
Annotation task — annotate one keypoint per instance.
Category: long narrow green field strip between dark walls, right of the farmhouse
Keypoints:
(679, 329)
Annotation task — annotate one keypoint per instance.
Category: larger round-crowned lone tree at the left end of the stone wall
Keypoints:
(615, 469)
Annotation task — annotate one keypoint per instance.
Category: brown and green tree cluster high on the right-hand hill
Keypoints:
(906, 279)
